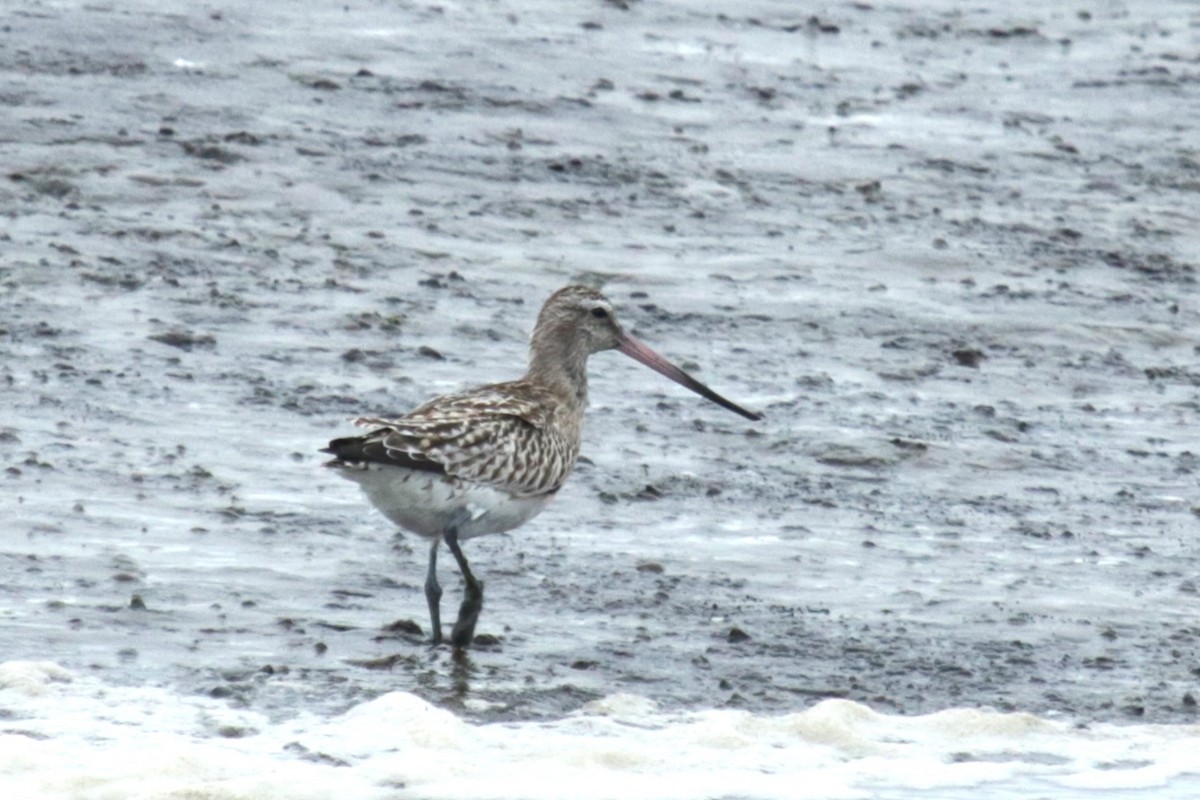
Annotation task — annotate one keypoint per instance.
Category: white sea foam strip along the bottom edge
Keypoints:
(73, 737)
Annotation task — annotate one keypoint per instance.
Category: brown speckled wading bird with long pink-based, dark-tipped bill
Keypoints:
(489, 460)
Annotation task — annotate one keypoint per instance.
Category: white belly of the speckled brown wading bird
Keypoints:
(428, 504)
